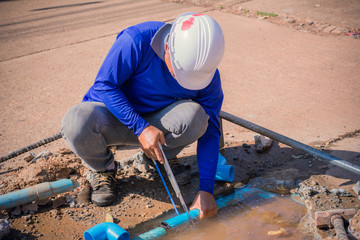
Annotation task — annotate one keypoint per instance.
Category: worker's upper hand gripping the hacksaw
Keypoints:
(149, 139)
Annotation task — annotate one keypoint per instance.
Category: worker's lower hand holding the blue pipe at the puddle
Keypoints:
(205, 202)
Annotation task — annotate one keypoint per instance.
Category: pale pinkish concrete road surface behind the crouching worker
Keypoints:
(301, 85)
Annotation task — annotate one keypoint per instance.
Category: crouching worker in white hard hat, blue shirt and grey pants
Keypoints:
(158, 83)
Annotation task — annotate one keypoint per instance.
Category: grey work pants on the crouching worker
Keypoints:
(89, 128)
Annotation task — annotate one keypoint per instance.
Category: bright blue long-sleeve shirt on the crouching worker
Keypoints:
(133, 81)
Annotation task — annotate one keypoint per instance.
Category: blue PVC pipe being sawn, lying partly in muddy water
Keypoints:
(247, 194)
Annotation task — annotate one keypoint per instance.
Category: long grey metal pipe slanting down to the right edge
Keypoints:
(290, 142)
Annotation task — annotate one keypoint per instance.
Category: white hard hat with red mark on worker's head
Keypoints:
(196, 45)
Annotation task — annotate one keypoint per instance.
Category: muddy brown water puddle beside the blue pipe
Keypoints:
(276, 218)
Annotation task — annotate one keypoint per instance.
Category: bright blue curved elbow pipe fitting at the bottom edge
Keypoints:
(106, 231)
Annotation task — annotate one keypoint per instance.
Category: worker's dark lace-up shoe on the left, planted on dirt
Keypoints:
(103, 186)
